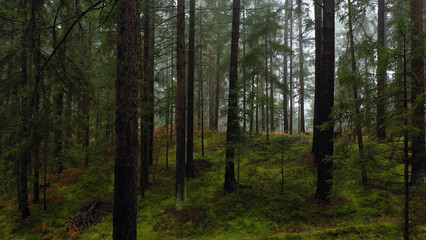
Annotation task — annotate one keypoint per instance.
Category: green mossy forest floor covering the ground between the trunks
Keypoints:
(261, 209)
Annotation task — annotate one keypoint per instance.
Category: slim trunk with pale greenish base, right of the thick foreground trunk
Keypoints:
(180, 108)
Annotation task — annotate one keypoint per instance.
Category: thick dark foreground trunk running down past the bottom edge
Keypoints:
(126, 120)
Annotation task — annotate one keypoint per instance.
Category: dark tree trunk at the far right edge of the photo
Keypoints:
(418, 172)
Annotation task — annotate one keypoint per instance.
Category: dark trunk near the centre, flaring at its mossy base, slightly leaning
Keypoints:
(233, 125)
